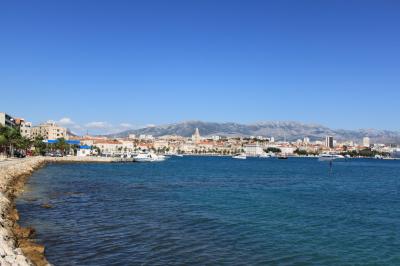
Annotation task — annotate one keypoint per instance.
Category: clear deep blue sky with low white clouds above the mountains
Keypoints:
(106, 66)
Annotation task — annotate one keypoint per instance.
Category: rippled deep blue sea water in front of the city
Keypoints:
(217, 211)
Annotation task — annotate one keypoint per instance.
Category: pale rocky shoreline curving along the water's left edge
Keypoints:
(17, 246)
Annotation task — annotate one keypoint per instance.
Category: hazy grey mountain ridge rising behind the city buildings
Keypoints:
(278, 129)
